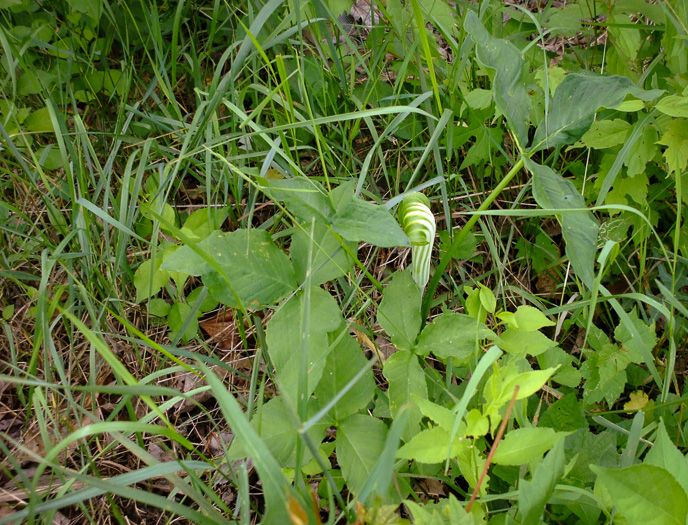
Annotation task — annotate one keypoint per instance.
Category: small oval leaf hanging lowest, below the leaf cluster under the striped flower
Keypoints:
(360, 441)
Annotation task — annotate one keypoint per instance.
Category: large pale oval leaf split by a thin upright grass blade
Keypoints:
(286, 341)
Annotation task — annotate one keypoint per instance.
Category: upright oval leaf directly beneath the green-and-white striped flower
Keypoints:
(399, 311)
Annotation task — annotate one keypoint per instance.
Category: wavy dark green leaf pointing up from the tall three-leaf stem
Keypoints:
(509, 88)
